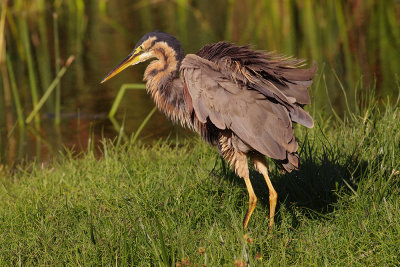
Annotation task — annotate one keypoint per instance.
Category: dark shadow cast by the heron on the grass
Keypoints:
(313, 189)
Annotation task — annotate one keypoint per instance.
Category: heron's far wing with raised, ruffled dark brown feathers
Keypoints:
(279, 78)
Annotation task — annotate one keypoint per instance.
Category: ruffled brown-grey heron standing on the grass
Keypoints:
(243, 101)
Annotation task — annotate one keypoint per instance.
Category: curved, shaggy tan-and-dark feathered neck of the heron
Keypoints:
(164, 84)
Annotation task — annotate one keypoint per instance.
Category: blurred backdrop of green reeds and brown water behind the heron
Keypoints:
(48, 103)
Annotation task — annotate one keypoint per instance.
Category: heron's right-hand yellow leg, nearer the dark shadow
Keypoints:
(260, 165)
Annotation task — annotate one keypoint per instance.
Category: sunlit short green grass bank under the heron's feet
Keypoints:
(178, 204)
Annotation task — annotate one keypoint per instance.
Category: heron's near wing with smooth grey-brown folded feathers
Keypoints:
(263, 124)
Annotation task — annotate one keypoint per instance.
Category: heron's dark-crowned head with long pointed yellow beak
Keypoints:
(155, 44)
